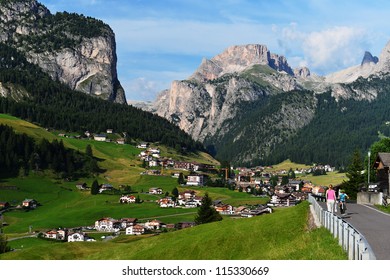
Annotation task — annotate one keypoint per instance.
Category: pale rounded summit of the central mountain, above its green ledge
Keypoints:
(238, 58)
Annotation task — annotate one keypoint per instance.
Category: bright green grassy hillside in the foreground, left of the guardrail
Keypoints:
(253, 239)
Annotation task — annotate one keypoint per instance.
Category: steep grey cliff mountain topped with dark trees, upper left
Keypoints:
(73, 49)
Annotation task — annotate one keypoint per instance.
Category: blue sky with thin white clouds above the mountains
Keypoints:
(160, 41)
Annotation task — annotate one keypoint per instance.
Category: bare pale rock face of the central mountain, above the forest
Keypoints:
(211, 96)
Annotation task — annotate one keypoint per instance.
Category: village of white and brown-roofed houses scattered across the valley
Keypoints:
(281, 188)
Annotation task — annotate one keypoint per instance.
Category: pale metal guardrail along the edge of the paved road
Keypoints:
(350, 239)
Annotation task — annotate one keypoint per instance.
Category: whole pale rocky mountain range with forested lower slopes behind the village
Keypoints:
(248, 106)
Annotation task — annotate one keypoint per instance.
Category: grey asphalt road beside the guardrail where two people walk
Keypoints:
(373, 224)
